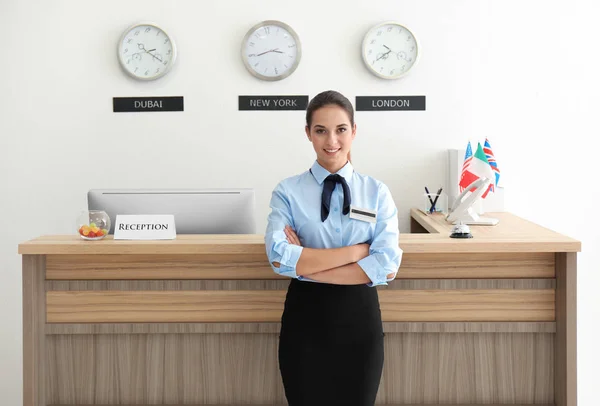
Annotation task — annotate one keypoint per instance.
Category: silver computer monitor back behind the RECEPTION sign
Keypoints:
(196, 211)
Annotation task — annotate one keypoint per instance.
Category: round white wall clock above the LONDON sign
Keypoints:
(390, 50)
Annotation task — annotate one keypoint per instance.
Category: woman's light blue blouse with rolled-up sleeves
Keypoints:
(296, 201)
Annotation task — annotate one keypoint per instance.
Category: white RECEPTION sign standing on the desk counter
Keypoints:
(145, 227)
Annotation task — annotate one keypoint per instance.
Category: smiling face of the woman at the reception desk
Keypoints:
(331, 134)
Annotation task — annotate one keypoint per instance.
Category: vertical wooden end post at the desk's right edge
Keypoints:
(566, 329)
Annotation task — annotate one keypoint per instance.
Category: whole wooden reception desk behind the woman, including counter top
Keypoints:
(490, 320)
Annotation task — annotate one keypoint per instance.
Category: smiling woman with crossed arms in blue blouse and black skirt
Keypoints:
(335, 233)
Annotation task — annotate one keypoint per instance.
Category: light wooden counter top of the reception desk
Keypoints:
(512, 234)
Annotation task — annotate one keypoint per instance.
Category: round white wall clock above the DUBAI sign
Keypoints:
(146, 52)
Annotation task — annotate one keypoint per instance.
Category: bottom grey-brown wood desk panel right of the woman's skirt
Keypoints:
(469, 368)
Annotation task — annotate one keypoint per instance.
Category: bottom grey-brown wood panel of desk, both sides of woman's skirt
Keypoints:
(243, 369)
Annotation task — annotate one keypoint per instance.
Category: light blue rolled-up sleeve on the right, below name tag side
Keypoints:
(385, 254)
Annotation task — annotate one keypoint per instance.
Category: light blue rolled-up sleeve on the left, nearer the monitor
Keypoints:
(276, 244)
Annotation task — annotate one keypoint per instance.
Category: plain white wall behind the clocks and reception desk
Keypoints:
(522, 73)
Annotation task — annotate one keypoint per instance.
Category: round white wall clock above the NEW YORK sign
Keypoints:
(271, 50)
